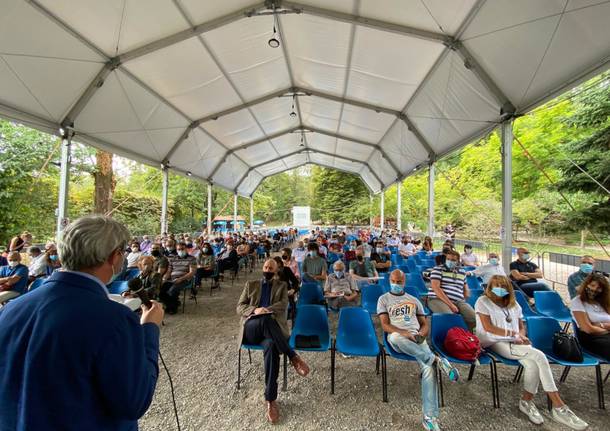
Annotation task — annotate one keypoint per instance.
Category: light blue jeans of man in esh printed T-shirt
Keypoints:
(426, 360)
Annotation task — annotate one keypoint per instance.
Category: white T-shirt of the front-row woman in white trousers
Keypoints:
(498, 316)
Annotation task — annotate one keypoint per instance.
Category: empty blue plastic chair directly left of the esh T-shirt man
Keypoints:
(356, 337)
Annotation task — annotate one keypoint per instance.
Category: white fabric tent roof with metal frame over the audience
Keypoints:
(380, 87)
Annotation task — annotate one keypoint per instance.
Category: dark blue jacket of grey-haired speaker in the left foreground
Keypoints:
(72, 359)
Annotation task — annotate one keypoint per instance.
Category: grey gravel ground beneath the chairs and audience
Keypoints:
(199, 347)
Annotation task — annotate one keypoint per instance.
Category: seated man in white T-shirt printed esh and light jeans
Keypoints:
(403, 321)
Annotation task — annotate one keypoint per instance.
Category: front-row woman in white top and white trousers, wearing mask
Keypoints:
(500, 329)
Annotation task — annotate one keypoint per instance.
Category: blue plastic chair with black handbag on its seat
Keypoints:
(540, 332)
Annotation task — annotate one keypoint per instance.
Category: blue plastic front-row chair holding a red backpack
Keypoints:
(440, 325)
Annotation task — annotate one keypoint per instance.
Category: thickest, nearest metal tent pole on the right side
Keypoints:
(506, 132)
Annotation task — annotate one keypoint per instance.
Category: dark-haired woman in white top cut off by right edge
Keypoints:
(591, 311)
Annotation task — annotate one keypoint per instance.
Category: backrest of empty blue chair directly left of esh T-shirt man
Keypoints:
(355, 324)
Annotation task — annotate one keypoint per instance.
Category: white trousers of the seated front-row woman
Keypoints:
(536, 366)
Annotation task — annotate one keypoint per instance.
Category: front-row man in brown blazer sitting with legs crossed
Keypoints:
(262, 307)
